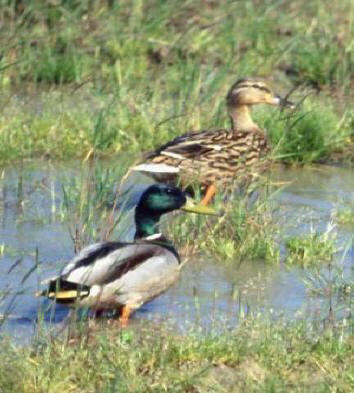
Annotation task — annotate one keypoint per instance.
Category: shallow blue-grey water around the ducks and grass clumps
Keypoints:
(210, 294)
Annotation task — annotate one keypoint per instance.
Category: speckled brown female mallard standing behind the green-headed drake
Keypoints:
(215, 158)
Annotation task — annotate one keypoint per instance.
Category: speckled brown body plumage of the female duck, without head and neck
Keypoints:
(210, 157)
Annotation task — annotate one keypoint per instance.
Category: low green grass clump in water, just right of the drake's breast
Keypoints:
(244, 231)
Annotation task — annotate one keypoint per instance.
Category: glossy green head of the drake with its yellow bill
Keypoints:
(159, 199)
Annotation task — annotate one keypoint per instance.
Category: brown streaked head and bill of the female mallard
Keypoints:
(251, 91)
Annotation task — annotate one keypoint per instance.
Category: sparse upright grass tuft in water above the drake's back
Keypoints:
(89, 203)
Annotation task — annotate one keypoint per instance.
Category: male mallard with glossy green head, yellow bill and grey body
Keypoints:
(123, 276)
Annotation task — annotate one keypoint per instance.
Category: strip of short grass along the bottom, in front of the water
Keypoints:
(257, 356)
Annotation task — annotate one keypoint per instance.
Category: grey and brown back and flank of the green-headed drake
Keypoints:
(123, 273)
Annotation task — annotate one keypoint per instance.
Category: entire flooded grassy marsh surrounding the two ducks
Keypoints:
(265, 301)
